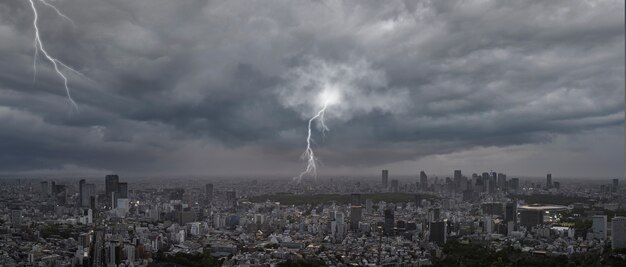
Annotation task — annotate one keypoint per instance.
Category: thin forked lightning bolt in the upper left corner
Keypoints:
(39, 47)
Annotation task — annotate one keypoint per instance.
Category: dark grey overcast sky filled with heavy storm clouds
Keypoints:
(227, 87)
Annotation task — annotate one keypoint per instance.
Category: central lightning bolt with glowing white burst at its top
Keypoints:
(328, 97)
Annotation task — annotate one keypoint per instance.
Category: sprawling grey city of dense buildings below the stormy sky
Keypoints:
(341, 221)
